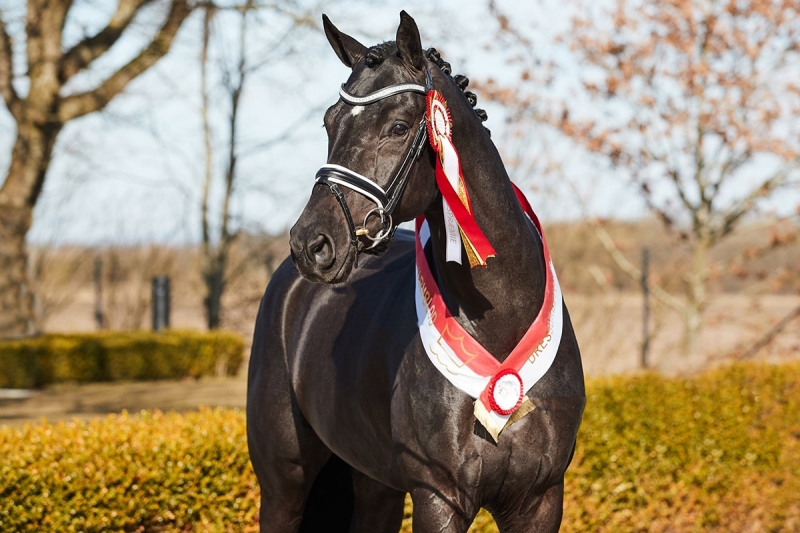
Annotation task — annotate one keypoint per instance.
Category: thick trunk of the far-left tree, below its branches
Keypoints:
(29, 160)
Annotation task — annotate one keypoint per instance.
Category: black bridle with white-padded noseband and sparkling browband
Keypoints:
(385, 200)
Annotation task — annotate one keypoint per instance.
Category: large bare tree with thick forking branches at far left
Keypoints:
(42, 113)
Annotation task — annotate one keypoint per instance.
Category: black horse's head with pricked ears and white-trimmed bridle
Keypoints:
(380, 169)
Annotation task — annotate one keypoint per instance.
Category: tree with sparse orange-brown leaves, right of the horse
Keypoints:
(696, 101)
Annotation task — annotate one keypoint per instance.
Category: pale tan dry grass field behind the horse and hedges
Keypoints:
(609, 328)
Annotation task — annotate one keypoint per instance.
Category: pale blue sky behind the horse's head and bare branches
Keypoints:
(132, 173)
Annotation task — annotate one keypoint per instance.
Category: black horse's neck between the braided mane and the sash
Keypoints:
(496, 304)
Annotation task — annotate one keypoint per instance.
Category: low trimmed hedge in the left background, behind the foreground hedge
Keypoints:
(110, 356)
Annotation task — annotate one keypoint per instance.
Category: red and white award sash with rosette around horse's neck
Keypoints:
(499, 388)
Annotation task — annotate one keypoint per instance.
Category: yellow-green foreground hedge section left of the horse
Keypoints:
(152, 472)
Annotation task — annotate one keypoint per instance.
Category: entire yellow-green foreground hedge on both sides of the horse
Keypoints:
(716, 452)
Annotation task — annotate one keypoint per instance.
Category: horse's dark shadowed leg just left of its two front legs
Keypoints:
(378, 508)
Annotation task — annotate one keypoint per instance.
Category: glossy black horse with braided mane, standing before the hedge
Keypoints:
(345, 412)
